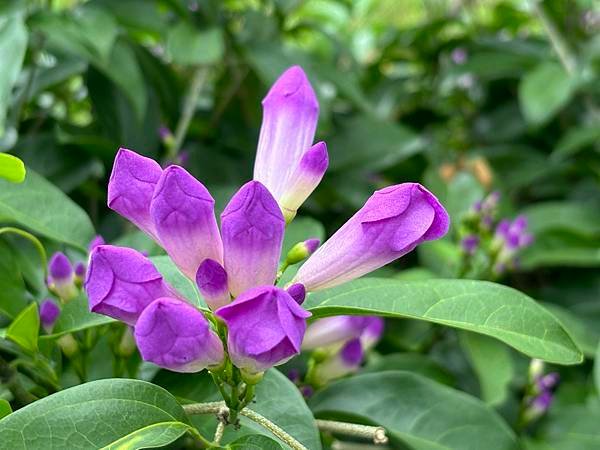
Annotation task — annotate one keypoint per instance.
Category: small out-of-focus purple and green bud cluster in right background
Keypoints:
(491, 248)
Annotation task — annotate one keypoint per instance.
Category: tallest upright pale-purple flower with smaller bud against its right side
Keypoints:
(290, 114)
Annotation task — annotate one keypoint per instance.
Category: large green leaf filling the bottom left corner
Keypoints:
(92, 415)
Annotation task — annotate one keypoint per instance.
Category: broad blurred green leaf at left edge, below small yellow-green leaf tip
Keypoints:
(43, 208)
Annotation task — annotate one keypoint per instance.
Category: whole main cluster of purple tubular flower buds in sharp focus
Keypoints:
(252, 323)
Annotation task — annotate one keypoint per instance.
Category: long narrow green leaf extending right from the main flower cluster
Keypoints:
(480, 306)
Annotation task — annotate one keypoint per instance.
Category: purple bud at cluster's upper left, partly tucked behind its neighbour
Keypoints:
(131, 186)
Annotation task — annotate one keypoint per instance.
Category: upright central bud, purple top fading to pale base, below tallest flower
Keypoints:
(252, 227)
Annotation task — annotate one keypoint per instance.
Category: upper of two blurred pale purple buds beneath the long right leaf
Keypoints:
(334, 330)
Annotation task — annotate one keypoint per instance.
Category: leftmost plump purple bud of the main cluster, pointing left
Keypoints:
(121, 282)
